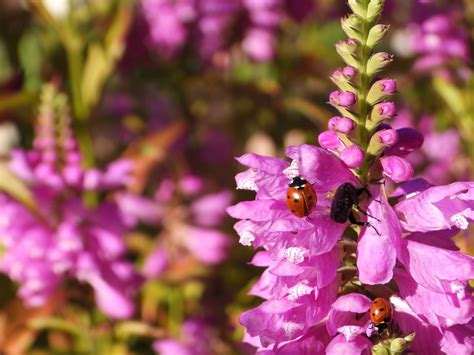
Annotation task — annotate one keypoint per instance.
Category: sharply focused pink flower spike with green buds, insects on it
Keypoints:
(322, 275)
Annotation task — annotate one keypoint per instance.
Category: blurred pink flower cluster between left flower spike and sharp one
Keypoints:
(187, 218)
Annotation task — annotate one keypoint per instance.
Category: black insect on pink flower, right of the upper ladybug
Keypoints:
(346, 198)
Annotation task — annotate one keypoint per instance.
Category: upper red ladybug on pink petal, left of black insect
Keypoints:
(300, 197)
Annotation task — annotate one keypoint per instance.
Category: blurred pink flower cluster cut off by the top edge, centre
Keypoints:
(210, 24)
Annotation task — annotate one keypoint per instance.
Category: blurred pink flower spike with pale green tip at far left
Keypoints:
(62, 238)
